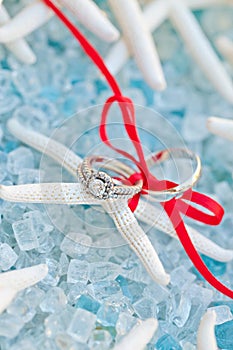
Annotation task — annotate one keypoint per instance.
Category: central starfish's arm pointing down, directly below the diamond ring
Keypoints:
(129, 228)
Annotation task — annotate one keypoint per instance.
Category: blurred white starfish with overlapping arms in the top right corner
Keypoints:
(136, 37)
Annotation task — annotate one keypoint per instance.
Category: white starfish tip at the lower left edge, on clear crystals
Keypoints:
(15, 281)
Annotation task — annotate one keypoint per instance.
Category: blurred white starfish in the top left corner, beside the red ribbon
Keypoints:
(36, 14)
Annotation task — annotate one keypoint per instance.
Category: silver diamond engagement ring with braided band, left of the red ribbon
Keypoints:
(100, 184)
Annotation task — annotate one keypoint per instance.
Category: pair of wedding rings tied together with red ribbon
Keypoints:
(102, 186)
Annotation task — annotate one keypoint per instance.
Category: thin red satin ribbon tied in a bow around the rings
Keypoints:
(175, 207)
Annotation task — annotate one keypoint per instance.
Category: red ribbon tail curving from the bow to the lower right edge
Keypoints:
(175, 217)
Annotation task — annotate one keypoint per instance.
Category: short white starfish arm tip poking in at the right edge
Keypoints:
(221, 127)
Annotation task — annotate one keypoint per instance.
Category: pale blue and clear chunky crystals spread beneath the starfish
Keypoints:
(93, 296)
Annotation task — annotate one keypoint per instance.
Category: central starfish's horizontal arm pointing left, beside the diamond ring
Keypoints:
(49, 193)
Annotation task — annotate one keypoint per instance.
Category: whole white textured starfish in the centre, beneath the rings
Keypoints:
(124, 219)
